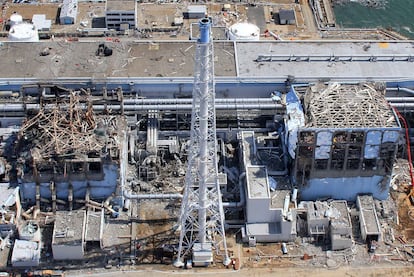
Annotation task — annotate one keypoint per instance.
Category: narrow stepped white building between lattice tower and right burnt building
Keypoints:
(268, 214)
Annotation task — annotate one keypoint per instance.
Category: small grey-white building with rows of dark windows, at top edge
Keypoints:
(121, 15)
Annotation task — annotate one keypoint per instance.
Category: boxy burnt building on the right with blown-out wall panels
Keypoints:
(346, 141)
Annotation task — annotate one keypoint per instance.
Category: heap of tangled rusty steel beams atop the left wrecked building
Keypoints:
(56, 131)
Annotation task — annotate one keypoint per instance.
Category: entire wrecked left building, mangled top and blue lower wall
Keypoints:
(66, 151)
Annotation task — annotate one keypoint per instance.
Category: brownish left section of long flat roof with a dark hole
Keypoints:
(129, 59)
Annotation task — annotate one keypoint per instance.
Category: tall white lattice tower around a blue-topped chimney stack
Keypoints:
(201, 220)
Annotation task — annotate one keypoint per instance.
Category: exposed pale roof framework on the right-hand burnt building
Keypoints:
(348, 106)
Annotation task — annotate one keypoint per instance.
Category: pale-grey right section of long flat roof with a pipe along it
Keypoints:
(326, 59)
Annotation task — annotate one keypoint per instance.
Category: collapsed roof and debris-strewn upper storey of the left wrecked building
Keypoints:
(67, 128)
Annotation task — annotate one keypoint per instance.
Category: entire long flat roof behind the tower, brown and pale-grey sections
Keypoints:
(304, 60)
